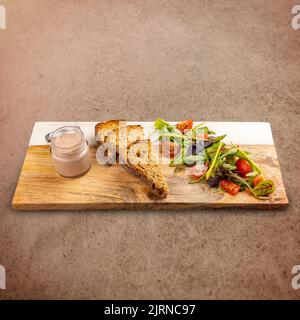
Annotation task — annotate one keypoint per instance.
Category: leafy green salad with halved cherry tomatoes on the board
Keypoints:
(210, 160)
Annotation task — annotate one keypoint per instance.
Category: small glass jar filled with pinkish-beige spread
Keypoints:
(70, 151)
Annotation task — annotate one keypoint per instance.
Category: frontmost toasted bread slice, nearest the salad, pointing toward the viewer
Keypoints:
(140, 162)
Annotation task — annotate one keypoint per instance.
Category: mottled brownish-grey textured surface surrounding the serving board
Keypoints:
(90, 60)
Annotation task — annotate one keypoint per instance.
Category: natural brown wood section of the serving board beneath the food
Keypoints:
(41, 188)
